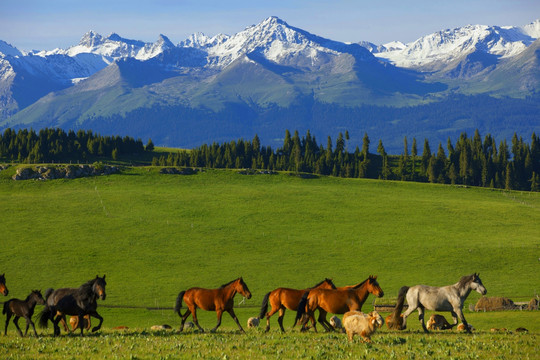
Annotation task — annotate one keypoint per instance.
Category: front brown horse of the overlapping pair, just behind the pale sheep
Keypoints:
(336, 301)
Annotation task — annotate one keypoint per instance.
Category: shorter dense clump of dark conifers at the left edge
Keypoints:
(49, 145)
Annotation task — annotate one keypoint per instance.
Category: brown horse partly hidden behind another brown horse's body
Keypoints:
(285, 298)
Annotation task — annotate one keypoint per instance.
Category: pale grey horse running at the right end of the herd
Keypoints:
(446, 298)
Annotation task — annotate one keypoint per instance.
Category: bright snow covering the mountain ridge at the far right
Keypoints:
(445, 46)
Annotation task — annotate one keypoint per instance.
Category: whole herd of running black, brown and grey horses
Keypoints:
(324, 297)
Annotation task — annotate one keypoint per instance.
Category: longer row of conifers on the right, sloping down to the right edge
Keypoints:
(470, 161)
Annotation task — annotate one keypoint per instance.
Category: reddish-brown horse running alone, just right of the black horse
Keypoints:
(218, 300)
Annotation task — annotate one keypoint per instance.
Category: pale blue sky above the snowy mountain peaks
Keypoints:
(47, 24)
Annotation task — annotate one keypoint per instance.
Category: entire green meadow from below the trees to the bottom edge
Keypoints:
(154, 235)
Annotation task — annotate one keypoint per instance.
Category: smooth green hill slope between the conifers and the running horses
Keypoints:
(154, 235)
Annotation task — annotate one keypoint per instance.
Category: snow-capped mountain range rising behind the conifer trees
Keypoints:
(106, 81)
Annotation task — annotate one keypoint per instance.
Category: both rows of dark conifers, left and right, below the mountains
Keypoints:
(469, 161)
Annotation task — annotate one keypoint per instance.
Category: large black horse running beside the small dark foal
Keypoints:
(79, 302)
